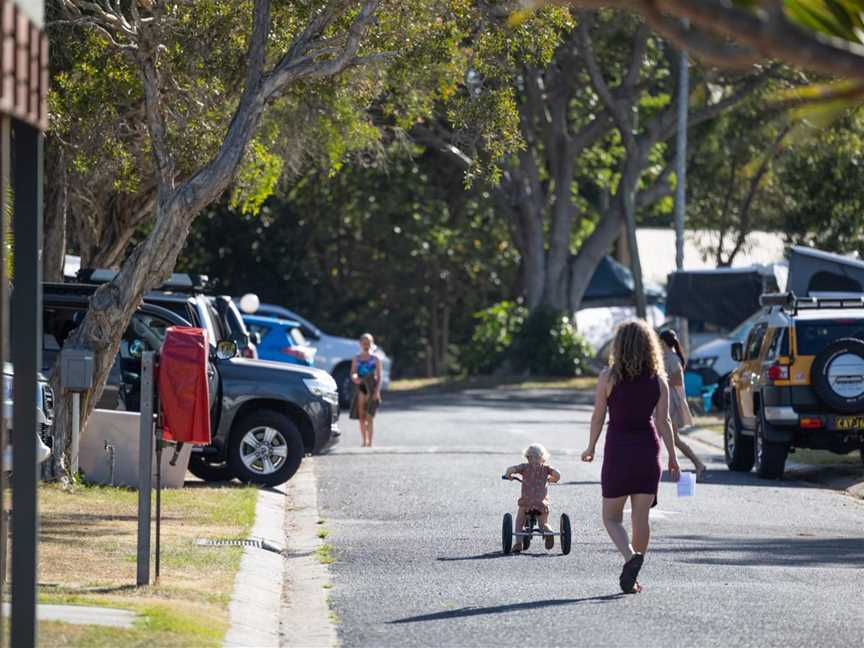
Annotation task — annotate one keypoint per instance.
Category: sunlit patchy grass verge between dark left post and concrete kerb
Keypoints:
(88, 551)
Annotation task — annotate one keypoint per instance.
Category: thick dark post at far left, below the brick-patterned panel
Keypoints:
(27, 360)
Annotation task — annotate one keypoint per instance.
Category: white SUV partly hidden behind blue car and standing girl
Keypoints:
(334, 353)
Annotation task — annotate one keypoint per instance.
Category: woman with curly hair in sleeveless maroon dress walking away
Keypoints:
(634, 390)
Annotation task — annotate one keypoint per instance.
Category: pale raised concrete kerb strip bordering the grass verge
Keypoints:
(255, 603)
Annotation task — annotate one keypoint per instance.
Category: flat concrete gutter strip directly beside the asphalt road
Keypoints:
(305, 615)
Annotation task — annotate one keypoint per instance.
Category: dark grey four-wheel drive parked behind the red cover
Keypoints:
(266, 416)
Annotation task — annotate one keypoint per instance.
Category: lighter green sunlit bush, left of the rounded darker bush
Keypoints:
(493, 336)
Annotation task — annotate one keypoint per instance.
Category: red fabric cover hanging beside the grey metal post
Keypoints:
(183, 387)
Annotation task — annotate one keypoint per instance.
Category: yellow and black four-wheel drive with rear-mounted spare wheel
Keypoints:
(799, 384)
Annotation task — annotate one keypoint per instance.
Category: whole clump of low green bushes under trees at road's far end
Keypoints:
(545, 343)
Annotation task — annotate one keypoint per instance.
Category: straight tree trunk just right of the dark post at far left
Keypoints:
(56, 204)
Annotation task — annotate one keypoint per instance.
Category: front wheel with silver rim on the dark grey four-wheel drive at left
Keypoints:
(266, 448)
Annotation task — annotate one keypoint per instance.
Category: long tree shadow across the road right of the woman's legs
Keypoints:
(794, 551)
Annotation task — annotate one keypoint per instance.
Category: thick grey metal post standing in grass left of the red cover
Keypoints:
(145, 467)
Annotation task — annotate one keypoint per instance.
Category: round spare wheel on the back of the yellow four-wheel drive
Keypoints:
(837, 375)
